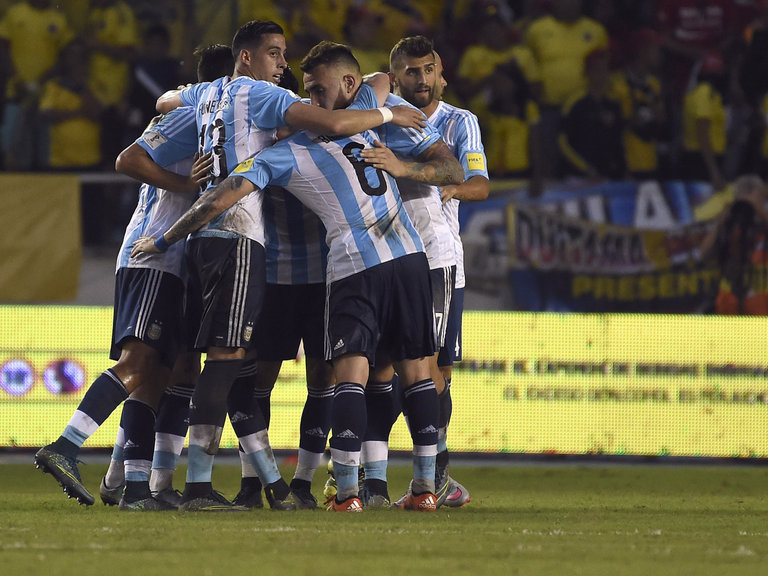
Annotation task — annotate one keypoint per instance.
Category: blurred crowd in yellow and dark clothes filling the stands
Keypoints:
(595, 89)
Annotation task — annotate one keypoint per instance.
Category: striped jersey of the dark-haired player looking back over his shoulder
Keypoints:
(237, 118)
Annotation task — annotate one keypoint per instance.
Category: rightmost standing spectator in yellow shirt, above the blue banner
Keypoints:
(704, 124)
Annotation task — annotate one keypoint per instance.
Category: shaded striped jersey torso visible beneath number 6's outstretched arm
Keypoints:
(295, 248)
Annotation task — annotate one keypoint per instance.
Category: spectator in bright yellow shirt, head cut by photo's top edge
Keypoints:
(560, 42)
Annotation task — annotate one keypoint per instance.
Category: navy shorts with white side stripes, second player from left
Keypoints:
(227, 279)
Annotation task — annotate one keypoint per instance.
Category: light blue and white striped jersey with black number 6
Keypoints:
(360, 207)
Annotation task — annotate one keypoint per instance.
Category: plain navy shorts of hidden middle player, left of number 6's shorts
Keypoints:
(291, 313)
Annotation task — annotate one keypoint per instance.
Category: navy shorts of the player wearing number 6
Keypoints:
(387, 307)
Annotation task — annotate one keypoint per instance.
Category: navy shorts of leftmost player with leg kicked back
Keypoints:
(149, 306)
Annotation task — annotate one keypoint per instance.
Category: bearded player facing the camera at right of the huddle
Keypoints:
(416, 71)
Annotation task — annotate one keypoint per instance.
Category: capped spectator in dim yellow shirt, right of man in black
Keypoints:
(639, 91)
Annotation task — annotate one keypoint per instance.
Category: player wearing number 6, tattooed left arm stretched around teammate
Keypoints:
(379, 294)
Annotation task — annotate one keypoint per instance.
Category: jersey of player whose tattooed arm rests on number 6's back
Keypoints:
(422, 201)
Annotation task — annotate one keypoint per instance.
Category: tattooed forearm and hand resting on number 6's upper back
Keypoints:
(435, 166)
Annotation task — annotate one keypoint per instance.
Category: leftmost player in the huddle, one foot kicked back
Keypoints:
(147, 326)
